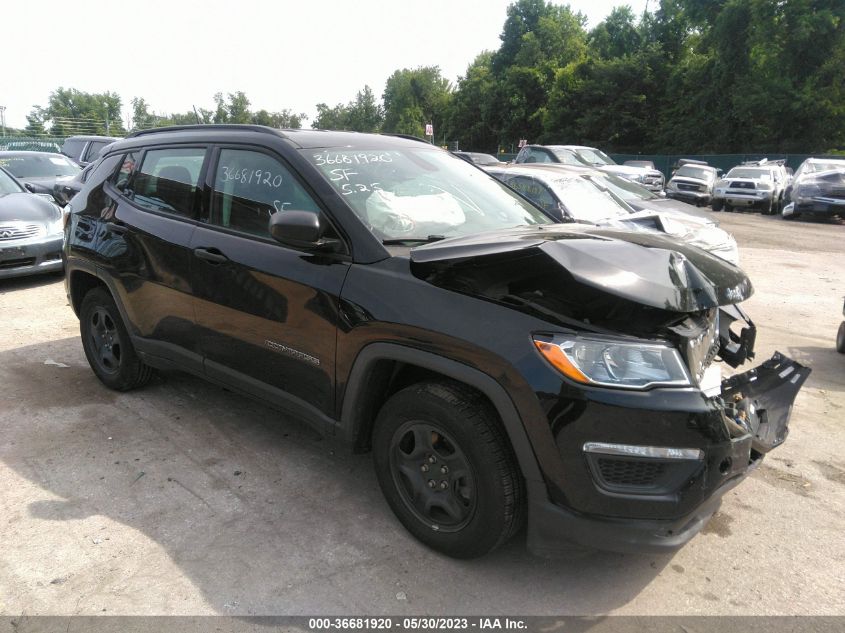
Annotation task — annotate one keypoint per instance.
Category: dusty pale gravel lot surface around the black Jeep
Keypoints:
(182, 498)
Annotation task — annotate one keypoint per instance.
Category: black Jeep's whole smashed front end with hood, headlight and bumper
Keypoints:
(640, 331)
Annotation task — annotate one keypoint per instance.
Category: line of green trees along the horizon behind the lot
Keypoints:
(703, 76)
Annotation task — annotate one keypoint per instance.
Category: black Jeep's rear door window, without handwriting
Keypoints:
(167, 180)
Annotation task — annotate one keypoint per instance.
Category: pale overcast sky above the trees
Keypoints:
(282, 54)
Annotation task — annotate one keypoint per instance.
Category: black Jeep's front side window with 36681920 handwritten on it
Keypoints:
(249, 187)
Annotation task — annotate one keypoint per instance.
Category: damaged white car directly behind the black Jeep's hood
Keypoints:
(574, 194)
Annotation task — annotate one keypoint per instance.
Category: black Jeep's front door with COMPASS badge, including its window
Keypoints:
(267, 314)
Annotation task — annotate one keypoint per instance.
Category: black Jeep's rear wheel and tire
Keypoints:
(107, 345)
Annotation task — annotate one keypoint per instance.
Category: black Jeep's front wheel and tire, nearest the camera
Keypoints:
(447, 470)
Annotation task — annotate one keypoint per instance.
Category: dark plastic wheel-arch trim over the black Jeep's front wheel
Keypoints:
(358, 379)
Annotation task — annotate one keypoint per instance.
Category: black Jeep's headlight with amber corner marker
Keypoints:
(610, 363)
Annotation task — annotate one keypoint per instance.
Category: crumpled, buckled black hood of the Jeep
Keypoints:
(646, 268)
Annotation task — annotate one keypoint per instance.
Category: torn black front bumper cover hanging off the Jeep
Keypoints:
(754, 407)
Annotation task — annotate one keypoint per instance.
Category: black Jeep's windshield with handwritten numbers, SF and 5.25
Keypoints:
(417, 193)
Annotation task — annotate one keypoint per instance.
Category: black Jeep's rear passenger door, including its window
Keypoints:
(145, 247)
